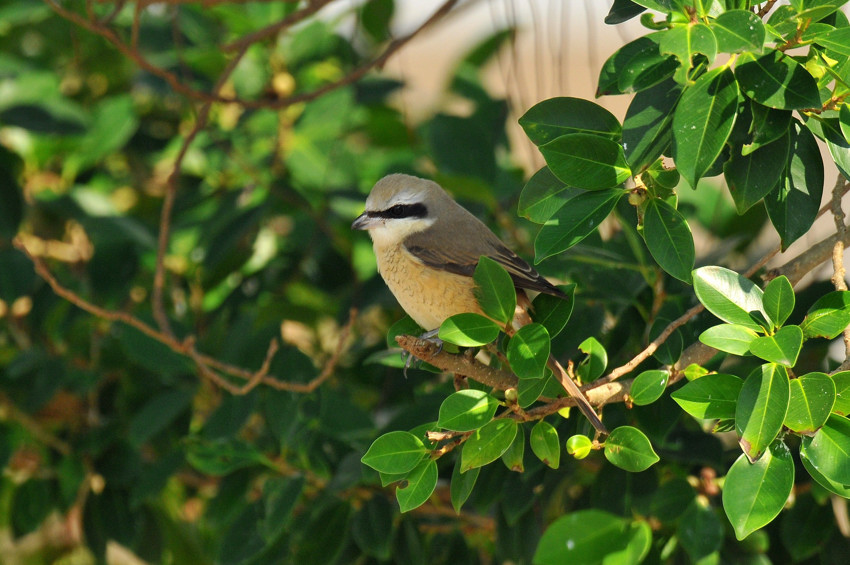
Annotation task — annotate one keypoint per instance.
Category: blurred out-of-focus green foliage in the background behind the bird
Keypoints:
(117, 446)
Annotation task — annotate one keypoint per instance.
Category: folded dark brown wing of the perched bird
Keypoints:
(458, 253)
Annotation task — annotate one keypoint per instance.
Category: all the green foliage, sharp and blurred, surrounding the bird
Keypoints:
(201, 365)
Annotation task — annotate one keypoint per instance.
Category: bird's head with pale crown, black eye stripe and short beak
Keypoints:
(401, 205)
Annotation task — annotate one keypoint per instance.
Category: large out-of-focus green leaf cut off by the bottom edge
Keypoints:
(579, 538)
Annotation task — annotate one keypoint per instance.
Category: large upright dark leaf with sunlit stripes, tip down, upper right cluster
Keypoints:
(647, 129)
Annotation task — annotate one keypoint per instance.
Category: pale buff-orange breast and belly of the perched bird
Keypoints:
(428, 295)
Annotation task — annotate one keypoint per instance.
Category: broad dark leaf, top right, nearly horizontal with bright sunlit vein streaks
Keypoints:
(776, 80)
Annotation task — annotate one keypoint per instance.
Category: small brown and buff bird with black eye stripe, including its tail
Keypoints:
(427, 247)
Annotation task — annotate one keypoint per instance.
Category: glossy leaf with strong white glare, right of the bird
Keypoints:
(729, 296)
